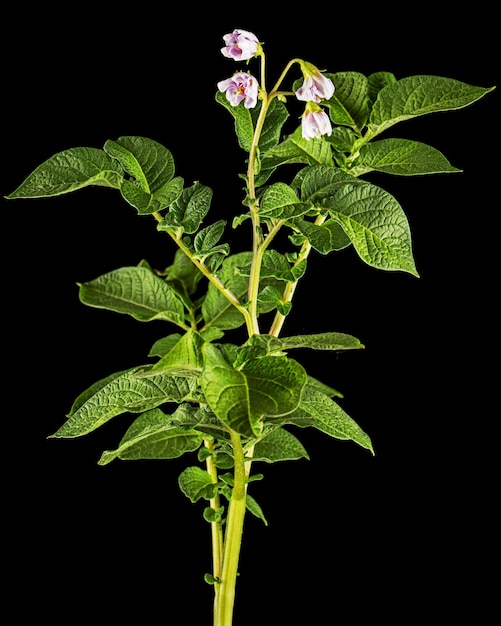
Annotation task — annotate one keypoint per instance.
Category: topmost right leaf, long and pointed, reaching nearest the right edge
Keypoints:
(419, 95)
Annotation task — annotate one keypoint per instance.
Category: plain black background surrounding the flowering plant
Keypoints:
(408, 533)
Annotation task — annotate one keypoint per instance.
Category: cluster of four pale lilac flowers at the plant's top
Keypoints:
(242, 45)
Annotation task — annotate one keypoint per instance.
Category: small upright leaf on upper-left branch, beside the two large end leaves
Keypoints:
(189, 210)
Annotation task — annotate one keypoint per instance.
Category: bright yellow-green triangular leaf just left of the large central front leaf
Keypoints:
(184, 359)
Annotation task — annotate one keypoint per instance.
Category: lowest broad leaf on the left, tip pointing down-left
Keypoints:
(153, 436)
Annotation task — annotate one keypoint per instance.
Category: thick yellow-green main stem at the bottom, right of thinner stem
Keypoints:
(233, 536)
